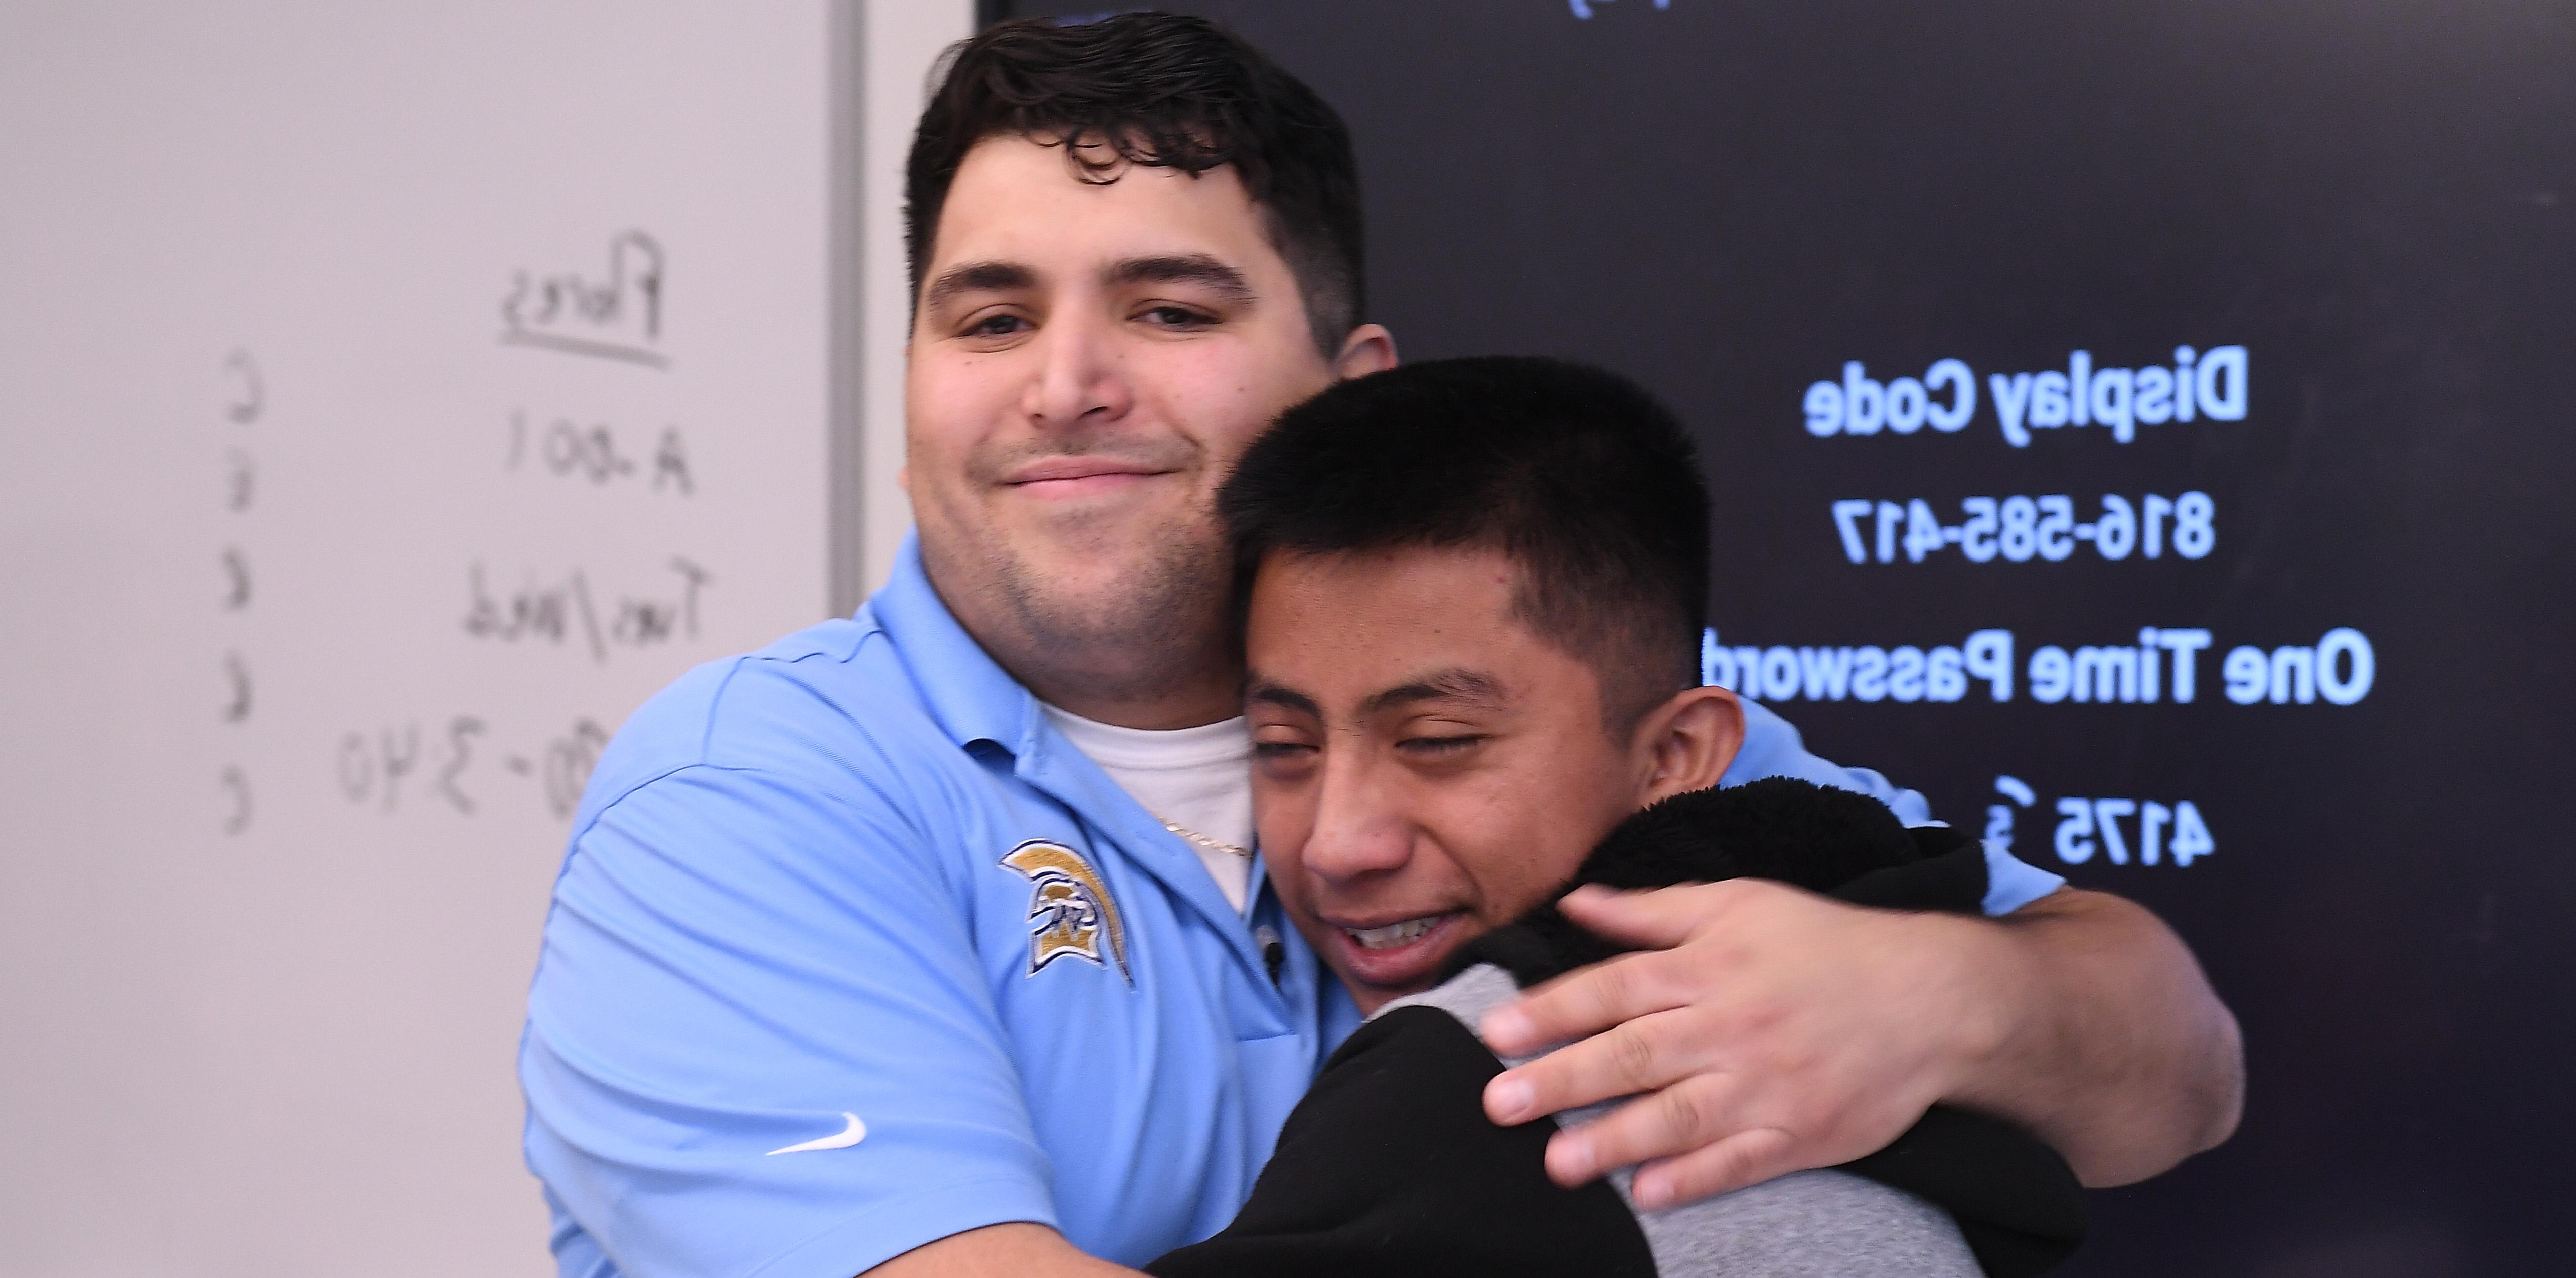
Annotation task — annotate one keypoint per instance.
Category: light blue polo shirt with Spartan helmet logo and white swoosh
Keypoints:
(854, 952)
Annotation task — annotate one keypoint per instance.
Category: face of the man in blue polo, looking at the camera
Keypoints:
(1088, 362)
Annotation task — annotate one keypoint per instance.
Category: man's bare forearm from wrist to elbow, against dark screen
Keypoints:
(2103, 1037)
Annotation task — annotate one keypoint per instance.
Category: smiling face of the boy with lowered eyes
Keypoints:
(1426, 767)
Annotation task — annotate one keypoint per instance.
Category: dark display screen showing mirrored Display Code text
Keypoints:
(2366, 205)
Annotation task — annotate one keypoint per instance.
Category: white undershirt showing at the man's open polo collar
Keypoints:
(1191, 777)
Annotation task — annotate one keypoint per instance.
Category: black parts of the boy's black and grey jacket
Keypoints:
(1392, 1168)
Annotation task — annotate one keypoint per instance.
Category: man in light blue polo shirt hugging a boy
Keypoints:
(936, 934)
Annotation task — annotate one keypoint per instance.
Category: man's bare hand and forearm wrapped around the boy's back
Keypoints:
(1779, 1032)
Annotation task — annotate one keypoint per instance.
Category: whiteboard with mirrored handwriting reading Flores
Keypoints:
(393, 398)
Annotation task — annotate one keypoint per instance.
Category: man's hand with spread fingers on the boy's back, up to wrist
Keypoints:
(1774, 1027)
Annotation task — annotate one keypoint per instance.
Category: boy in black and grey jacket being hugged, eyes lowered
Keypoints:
(1472, 640)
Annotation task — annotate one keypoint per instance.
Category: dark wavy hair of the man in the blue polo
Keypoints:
(1171, 91)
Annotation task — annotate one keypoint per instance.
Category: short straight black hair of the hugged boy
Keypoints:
(1578, 475)
